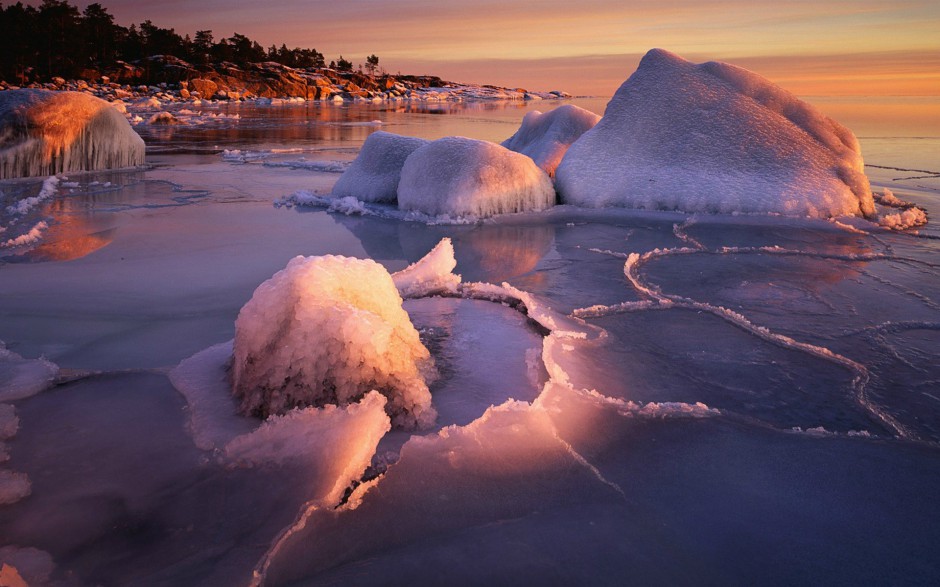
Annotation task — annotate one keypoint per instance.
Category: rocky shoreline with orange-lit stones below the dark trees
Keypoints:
(170, 79)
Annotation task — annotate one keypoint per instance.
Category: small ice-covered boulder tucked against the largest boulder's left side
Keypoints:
(546, 137)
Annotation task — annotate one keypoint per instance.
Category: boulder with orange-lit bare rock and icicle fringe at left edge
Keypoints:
(44, 133)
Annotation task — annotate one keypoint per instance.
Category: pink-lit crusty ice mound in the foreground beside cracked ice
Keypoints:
(327, 330)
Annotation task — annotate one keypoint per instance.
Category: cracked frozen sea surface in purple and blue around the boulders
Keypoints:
(685, 400)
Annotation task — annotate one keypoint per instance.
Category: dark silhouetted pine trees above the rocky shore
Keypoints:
(56, 39)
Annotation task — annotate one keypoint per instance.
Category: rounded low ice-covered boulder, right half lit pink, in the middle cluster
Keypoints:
(460, 177)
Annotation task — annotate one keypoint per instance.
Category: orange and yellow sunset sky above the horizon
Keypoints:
(589, 47)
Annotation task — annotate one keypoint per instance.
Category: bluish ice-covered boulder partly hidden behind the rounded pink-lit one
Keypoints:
(374, 175)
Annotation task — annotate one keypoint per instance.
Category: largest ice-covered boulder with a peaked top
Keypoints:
(714, 138)
